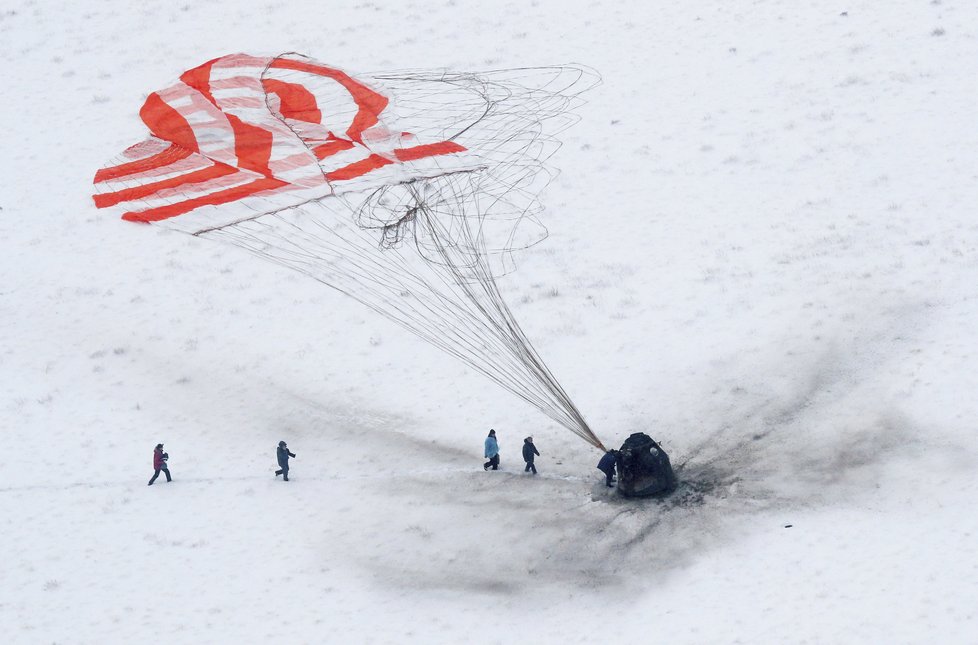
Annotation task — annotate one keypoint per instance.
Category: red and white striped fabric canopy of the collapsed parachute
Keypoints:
(282, 128)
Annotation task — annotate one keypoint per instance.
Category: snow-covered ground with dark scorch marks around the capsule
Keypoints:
(763, 251)
